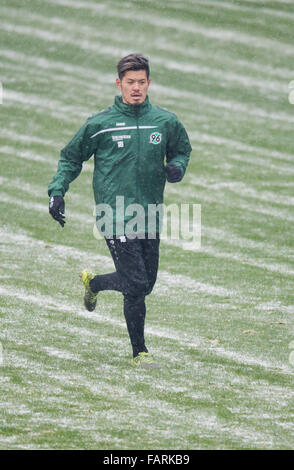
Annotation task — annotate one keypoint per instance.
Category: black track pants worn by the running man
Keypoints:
(136, 263)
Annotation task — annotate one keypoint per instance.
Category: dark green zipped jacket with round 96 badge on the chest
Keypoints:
(129, 144)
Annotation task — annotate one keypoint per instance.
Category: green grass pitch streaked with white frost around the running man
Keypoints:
(220, 320)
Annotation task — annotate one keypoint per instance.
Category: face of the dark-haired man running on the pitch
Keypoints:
(134, 86)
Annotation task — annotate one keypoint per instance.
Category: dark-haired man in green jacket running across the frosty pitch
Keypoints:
(137, 147)
